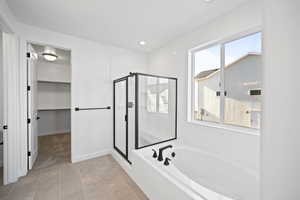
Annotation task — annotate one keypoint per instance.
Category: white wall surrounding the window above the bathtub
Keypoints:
(172, 60)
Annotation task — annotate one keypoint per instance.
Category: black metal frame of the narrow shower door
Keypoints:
(124, 155)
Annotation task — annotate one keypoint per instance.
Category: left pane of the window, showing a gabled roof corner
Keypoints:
(206, 79)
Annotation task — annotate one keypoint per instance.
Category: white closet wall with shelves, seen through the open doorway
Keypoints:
(54, 93)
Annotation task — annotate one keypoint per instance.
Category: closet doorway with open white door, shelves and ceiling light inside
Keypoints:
(48, 106)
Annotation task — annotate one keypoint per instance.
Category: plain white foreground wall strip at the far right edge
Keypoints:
(280, 137)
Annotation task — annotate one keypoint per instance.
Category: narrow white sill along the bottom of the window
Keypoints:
(227, 127)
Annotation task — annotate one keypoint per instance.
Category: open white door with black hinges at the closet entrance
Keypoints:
(32, 110)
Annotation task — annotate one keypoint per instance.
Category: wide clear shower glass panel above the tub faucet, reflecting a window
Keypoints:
(157, 110)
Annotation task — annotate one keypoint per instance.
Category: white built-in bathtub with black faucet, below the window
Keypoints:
(193, 175)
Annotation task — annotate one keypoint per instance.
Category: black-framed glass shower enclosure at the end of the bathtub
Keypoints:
(145, 112)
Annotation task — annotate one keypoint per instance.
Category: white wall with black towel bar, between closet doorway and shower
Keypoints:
(93, 68)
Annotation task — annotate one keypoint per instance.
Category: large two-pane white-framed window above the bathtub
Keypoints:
(226, 82)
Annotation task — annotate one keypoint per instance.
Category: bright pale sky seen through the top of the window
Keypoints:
(210, 58)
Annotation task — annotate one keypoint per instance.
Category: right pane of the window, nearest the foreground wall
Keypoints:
(242, 75)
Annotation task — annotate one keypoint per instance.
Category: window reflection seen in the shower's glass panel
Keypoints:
(157, 95)
